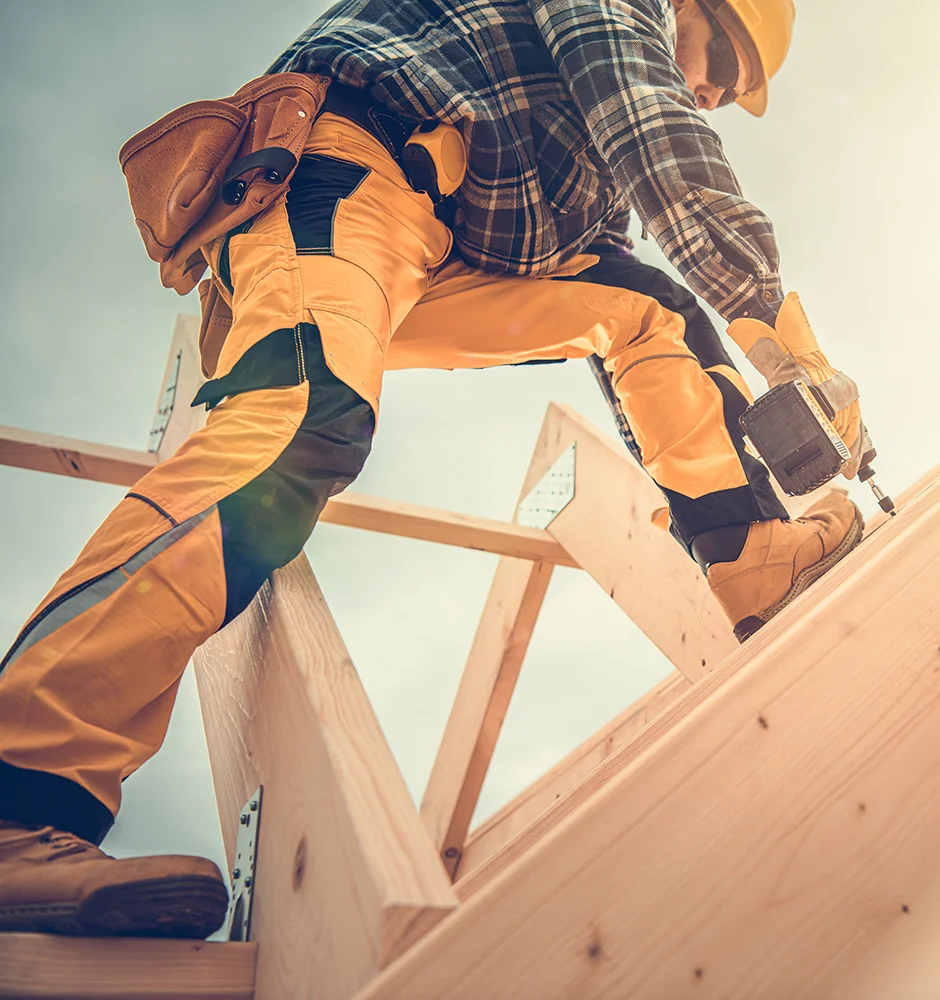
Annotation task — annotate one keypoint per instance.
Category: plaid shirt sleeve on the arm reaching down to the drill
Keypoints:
(616, 58)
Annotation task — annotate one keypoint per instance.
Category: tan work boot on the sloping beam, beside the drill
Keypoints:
(780, 559)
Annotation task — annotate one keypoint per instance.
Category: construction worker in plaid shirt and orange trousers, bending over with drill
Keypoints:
(572, 113)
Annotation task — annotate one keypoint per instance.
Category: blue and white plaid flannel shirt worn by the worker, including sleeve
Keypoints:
(574, 112)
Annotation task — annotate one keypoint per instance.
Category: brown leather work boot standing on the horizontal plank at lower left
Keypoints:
(53, 881)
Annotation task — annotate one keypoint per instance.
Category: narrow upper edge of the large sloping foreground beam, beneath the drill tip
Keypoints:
(675, 713)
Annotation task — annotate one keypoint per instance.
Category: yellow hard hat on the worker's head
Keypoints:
(764, 29)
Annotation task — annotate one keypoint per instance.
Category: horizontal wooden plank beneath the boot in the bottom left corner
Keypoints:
(53, 967)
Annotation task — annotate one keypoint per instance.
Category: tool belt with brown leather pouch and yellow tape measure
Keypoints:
(209, 167)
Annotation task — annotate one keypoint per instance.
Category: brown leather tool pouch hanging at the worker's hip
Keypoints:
(208, 167)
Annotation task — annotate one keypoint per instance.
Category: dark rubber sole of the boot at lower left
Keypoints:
(190, 907)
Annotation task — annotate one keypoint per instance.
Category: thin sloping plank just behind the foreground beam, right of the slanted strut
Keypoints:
(493, 835)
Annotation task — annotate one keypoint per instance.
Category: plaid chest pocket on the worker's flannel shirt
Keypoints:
(569, 177)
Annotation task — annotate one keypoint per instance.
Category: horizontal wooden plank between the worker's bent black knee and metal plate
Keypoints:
(394, 517)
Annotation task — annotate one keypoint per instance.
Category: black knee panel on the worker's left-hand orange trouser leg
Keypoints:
(266, 523)
